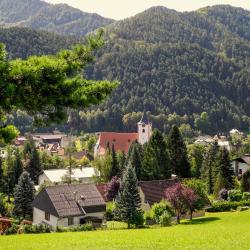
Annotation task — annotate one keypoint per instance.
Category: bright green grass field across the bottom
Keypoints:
(215, 231)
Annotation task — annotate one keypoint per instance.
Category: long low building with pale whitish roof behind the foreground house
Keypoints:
(57, 176)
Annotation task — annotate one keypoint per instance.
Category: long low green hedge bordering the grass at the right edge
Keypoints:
(225, 206)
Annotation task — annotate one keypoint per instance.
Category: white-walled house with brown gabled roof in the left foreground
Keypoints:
(69, 205)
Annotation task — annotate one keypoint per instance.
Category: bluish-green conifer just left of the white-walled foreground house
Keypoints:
(23, 196)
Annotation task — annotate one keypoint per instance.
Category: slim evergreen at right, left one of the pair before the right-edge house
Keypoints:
(209, 171)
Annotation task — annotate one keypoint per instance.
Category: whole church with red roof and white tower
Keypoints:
(123, 141)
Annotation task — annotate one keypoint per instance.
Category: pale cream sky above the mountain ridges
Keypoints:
(119, 9)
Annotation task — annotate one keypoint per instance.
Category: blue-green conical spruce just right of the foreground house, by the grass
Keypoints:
(128, 200)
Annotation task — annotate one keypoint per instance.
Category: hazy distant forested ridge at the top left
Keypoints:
(59, 18)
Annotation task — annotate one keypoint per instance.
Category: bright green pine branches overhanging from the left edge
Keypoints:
(57, 84)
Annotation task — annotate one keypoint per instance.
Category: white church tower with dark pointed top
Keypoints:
(144, 129)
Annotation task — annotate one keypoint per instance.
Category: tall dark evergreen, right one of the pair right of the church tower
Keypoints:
(178, 154)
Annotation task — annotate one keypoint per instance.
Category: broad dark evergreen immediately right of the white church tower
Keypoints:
(156, 158)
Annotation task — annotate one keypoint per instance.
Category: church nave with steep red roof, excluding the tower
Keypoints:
(121, 141)
